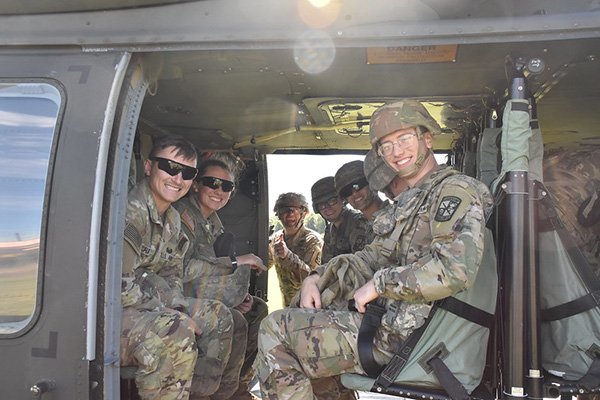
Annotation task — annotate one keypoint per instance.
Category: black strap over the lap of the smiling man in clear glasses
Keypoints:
(370, 322)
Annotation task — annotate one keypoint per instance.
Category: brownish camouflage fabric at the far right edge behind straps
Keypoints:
(573, 181)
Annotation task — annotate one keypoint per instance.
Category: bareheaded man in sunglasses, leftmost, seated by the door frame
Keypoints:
(158, 332)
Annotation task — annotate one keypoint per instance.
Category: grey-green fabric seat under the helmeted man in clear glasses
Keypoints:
(461, 342)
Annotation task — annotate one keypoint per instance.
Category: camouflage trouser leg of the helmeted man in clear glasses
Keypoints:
(296, 346)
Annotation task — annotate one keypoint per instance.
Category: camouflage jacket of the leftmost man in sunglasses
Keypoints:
(153, 251)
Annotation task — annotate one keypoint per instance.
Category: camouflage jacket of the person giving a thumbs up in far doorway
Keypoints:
(304, 255)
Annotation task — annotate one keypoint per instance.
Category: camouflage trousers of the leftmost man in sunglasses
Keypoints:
(163, 347)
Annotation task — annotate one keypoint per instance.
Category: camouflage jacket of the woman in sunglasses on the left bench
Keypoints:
(207, 276)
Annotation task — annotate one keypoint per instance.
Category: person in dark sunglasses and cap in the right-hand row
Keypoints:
(352, 186)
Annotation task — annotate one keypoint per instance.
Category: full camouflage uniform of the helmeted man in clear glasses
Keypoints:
(441, 226)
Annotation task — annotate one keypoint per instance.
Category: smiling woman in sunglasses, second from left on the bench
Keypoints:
(225, 278)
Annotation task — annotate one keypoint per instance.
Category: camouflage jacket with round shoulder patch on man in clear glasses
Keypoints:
(437, 247)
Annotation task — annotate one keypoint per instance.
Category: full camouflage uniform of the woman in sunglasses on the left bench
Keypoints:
(207, 276)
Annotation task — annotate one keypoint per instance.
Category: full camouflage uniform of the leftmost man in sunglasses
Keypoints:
(160, 342)
